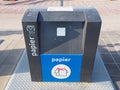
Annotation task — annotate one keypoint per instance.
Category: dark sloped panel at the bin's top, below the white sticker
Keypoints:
(62, 16)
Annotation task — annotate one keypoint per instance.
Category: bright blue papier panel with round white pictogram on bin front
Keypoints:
(61, 67)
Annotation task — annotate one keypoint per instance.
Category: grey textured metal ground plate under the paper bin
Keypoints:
(20, 79)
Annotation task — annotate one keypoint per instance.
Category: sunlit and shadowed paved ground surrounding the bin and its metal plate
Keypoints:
(12, 41)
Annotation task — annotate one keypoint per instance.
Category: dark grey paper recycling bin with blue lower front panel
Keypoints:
(61, 43)
